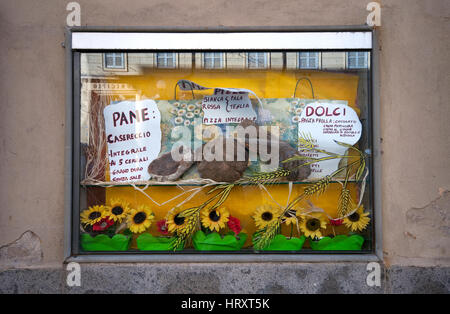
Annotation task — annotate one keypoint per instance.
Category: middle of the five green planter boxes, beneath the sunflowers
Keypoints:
(215, 242)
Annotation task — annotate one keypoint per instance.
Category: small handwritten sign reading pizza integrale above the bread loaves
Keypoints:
(227, 107)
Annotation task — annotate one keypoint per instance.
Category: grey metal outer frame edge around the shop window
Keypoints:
(69, 256)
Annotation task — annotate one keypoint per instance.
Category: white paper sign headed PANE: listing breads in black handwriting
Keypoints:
(133, 135)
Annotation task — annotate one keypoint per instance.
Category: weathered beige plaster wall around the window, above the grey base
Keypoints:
(414, 87)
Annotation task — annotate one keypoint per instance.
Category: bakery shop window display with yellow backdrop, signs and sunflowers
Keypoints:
(198, 162)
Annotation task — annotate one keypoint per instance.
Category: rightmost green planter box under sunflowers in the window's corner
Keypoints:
(338, 243)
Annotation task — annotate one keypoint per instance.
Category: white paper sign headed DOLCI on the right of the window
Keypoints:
(325, 123)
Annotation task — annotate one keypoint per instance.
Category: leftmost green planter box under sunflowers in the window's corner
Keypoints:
(102, 242)
